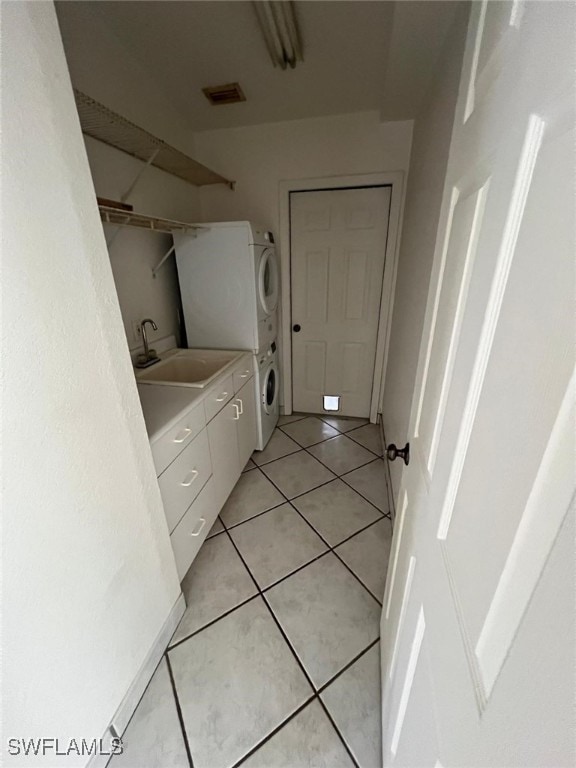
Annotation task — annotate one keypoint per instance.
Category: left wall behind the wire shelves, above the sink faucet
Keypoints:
(134, 253)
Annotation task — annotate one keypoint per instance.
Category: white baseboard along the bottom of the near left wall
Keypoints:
(138, 686)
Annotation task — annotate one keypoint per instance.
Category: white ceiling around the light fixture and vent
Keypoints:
(357, 55)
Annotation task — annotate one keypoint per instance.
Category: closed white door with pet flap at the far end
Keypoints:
(338, 244)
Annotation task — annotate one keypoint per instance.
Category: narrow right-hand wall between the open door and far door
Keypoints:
(432, 132)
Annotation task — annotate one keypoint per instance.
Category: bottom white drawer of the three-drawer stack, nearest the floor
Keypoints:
(189, 534)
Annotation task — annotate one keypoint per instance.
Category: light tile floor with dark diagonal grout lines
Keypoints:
(275, 663)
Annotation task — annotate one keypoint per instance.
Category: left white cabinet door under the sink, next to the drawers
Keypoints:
(222, 436)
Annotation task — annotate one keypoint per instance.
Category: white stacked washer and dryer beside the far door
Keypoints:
(229, 283)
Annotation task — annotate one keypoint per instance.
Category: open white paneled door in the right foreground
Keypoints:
(478, 616)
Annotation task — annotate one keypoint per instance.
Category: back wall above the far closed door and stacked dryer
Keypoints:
(259, 157)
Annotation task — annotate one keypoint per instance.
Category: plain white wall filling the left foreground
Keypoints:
(89, 576)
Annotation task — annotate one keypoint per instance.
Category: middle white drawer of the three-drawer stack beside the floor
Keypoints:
(182, 481)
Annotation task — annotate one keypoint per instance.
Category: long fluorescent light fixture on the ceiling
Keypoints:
(279, 26)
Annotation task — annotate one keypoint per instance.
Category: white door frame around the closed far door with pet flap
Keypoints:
(393, 179)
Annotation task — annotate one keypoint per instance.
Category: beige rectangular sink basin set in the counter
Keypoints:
(190, 368)
